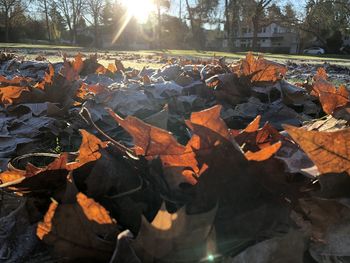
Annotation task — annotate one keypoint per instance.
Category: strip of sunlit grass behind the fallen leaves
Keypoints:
(33, 49)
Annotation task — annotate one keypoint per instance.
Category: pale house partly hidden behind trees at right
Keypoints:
(271, 38)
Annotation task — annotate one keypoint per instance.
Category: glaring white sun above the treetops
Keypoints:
(140, 9)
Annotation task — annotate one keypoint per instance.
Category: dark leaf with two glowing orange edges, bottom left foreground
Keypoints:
(79, 228)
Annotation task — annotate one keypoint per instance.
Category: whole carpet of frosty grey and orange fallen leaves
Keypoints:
(197, 161)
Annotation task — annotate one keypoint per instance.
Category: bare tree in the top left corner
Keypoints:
(11, 9)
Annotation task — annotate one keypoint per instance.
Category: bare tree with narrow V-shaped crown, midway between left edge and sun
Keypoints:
(72, 13)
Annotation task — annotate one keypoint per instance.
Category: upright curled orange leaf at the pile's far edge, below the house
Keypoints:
(260, 69)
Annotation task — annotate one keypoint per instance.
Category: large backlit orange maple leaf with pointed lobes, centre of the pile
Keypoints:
(209, 131)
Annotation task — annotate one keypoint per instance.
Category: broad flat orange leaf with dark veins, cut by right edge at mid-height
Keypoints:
(329, 151)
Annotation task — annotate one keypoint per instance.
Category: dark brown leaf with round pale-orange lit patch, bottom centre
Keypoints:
(177, 236)
